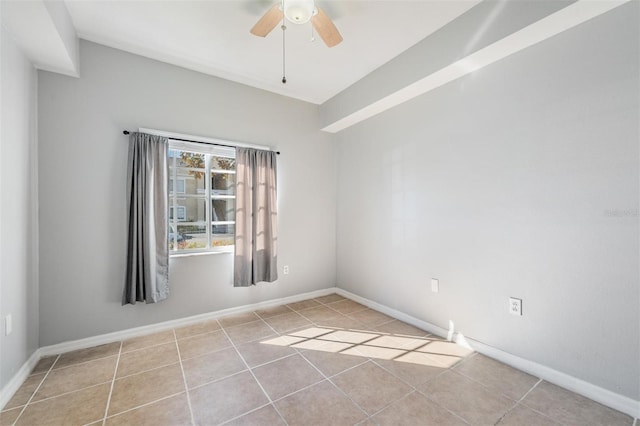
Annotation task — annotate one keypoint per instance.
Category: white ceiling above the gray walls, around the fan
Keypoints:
(213, 37)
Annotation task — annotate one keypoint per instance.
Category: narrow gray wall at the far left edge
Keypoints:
(18, 236)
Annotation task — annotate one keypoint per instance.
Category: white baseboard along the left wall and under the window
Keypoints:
(14, 384)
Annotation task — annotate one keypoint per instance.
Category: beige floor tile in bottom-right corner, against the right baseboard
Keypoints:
(572, 409)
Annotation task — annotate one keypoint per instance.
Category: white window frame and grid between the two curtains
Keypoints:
(209, 151)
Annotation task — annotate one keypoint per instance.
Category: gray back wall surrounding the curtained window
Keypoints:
(82, 169)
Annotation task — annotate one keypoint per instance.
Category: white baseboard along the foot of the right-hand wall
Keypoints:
(603, 396)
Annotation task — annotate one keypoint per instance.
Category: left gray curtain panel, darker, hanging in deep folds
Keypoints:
(147, 278)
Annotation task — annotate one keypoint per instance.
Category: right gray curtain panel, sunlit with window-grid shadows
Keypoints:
(256, 240)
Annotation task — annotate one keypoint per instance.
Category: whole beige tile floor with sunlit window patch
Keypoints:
(326, 361)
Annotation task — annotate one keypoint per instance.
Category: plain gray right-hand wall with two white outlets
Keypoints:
(518, 180)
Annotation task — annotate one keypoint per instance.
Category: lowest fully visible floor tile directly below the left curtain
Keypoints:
(133, 391)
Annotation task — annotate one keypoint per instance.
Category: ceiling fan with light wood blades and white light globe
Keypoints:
(299, 12)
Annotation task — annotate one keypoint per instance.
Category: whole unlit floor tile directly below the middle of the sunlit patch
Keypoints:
(371, 387)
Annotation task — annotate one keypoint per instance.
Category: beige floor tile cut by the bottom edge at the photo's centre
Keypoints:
(321, 404)
